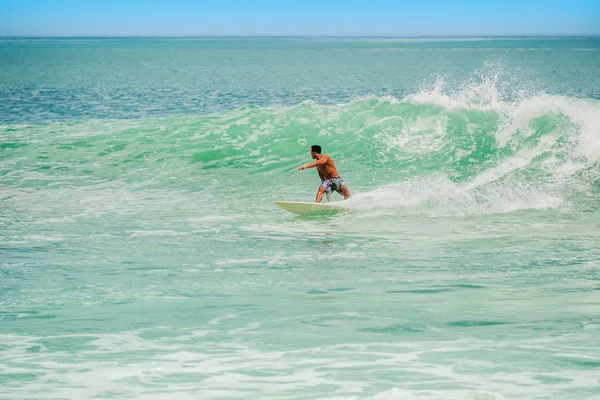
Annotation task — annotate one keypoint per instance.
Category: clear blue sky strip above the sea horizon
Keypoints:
(298, 18)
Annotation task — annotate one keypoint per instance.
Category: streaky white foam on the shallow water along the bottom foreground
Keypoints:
(194, 362)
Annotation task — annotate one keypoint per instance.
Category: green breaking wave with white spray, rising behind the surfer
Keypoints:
(469, 150)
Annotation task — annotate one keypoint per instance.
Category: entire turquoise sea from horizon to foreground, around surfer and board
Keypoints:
(141, 254)
